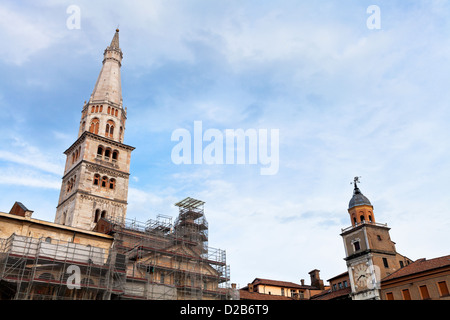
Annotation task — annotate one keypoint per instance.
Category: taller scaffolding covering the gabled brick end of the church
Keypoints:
(172, 261)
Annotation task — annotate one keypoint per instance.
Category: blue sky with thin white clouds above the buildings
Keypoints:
(347, 101)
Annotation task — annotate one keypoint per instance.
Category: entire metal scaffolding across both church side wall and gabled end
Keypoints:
(155, 260)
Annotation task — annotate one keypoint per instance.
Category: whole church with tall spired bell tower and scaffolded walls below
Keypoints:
(91, 250)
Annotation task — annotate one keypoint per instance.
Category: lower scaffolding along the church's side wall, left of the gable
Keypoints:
(49, 269)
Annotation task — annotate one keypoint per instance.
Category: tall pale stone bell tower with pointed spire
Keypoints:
(95, 181)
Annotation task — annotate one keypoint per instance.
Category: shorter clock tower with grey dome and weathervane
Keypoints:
(370, 253)
